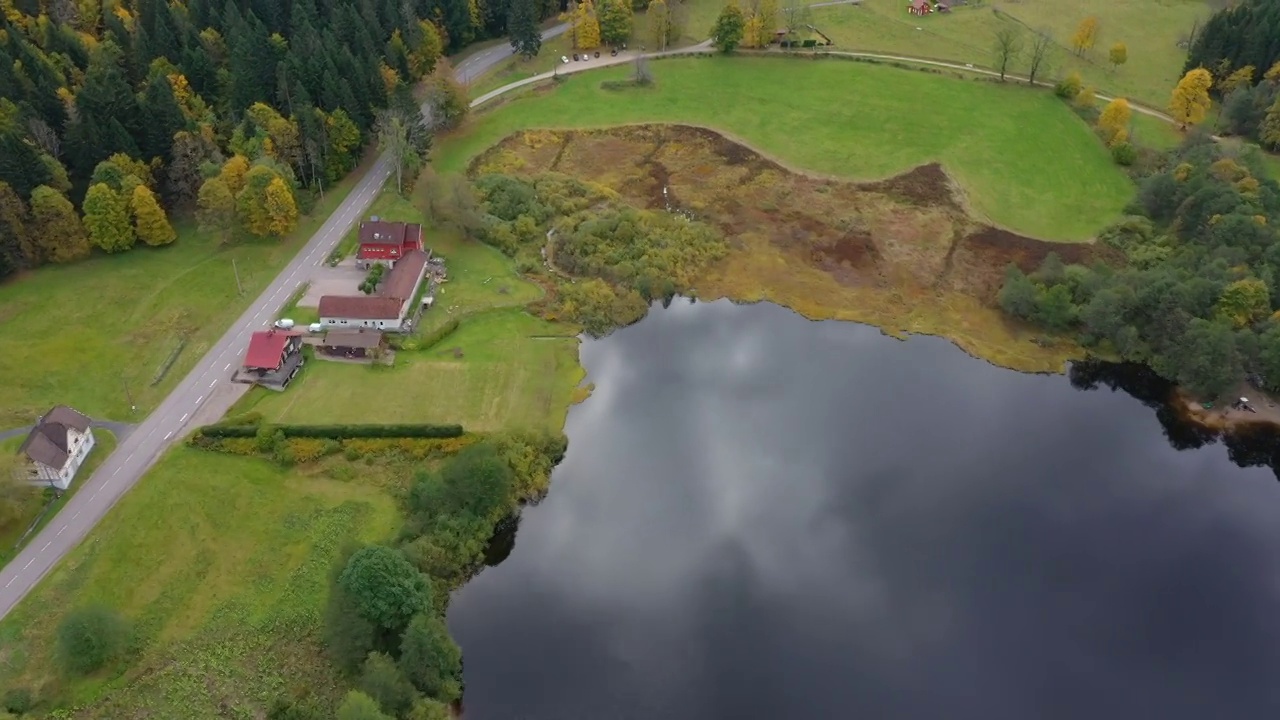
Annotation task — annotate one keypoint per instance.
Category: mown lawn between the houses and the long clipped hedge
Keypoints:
(502, 370)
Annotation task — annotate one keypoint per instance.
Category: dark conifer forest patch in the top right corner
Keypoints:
(1241, 47)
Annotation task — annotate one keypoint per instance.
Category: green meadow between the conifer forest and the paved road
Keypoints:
(94, 334)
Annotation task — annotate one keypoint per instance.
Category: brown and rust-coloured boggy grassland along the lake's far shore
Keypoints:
(902, 254)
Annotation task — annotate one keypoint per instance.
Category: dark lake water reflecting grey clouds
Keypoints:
(762, 517)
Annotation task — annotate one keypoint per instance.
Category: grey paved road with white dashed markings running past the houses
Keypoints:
(175, 417)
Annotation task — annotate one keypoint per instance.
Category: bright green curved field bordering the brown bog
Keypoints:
(1025, 161)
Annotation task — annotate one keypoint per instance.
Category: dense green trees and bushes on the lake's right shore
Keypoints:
(1196, 281)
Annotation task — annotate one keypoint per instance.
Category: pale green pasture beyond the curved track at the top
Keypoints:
(1151, 30)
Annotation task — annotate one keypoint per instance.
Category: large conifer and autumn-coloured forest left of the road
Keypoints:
(122, 119)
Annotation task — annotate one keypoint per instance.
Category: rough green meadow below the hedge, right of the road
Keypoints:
(221, 564)
